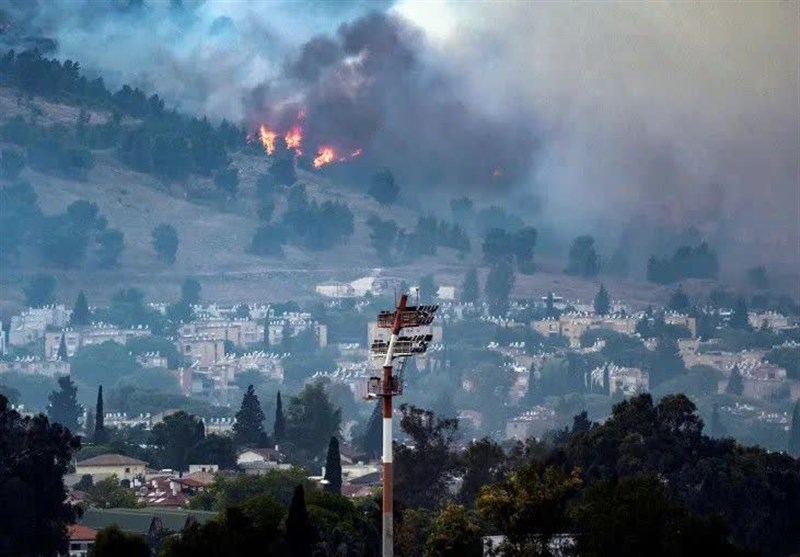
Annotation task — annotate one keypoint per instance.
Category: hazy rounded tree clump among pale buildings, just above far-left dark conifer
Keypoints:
(102, 363)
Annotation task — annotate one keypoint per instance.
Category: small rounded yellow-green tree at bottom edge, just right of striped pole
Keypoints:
(456, 532)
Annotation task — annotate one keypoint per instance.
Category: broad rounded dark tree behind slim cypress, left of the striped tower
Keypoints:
(312, 420)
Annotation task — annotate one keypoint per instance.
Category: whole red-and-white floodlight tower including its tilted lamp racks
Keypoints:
(389, 385)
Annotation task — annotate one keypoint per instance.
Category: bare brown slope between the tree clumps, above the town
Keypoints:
(214, 238)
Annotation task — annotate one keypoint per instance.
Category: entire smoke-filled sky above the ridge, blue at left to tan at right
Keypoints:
(621, 119)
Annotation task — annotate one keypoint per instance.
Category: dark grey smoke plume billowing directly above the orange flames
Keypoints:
(369, 87)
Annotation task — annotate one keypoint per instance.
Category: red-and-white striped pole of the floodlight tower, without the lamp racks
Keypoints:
(388, 483)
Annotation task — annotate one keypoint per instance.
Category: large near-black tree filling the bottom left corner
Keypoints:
(34, 457)
